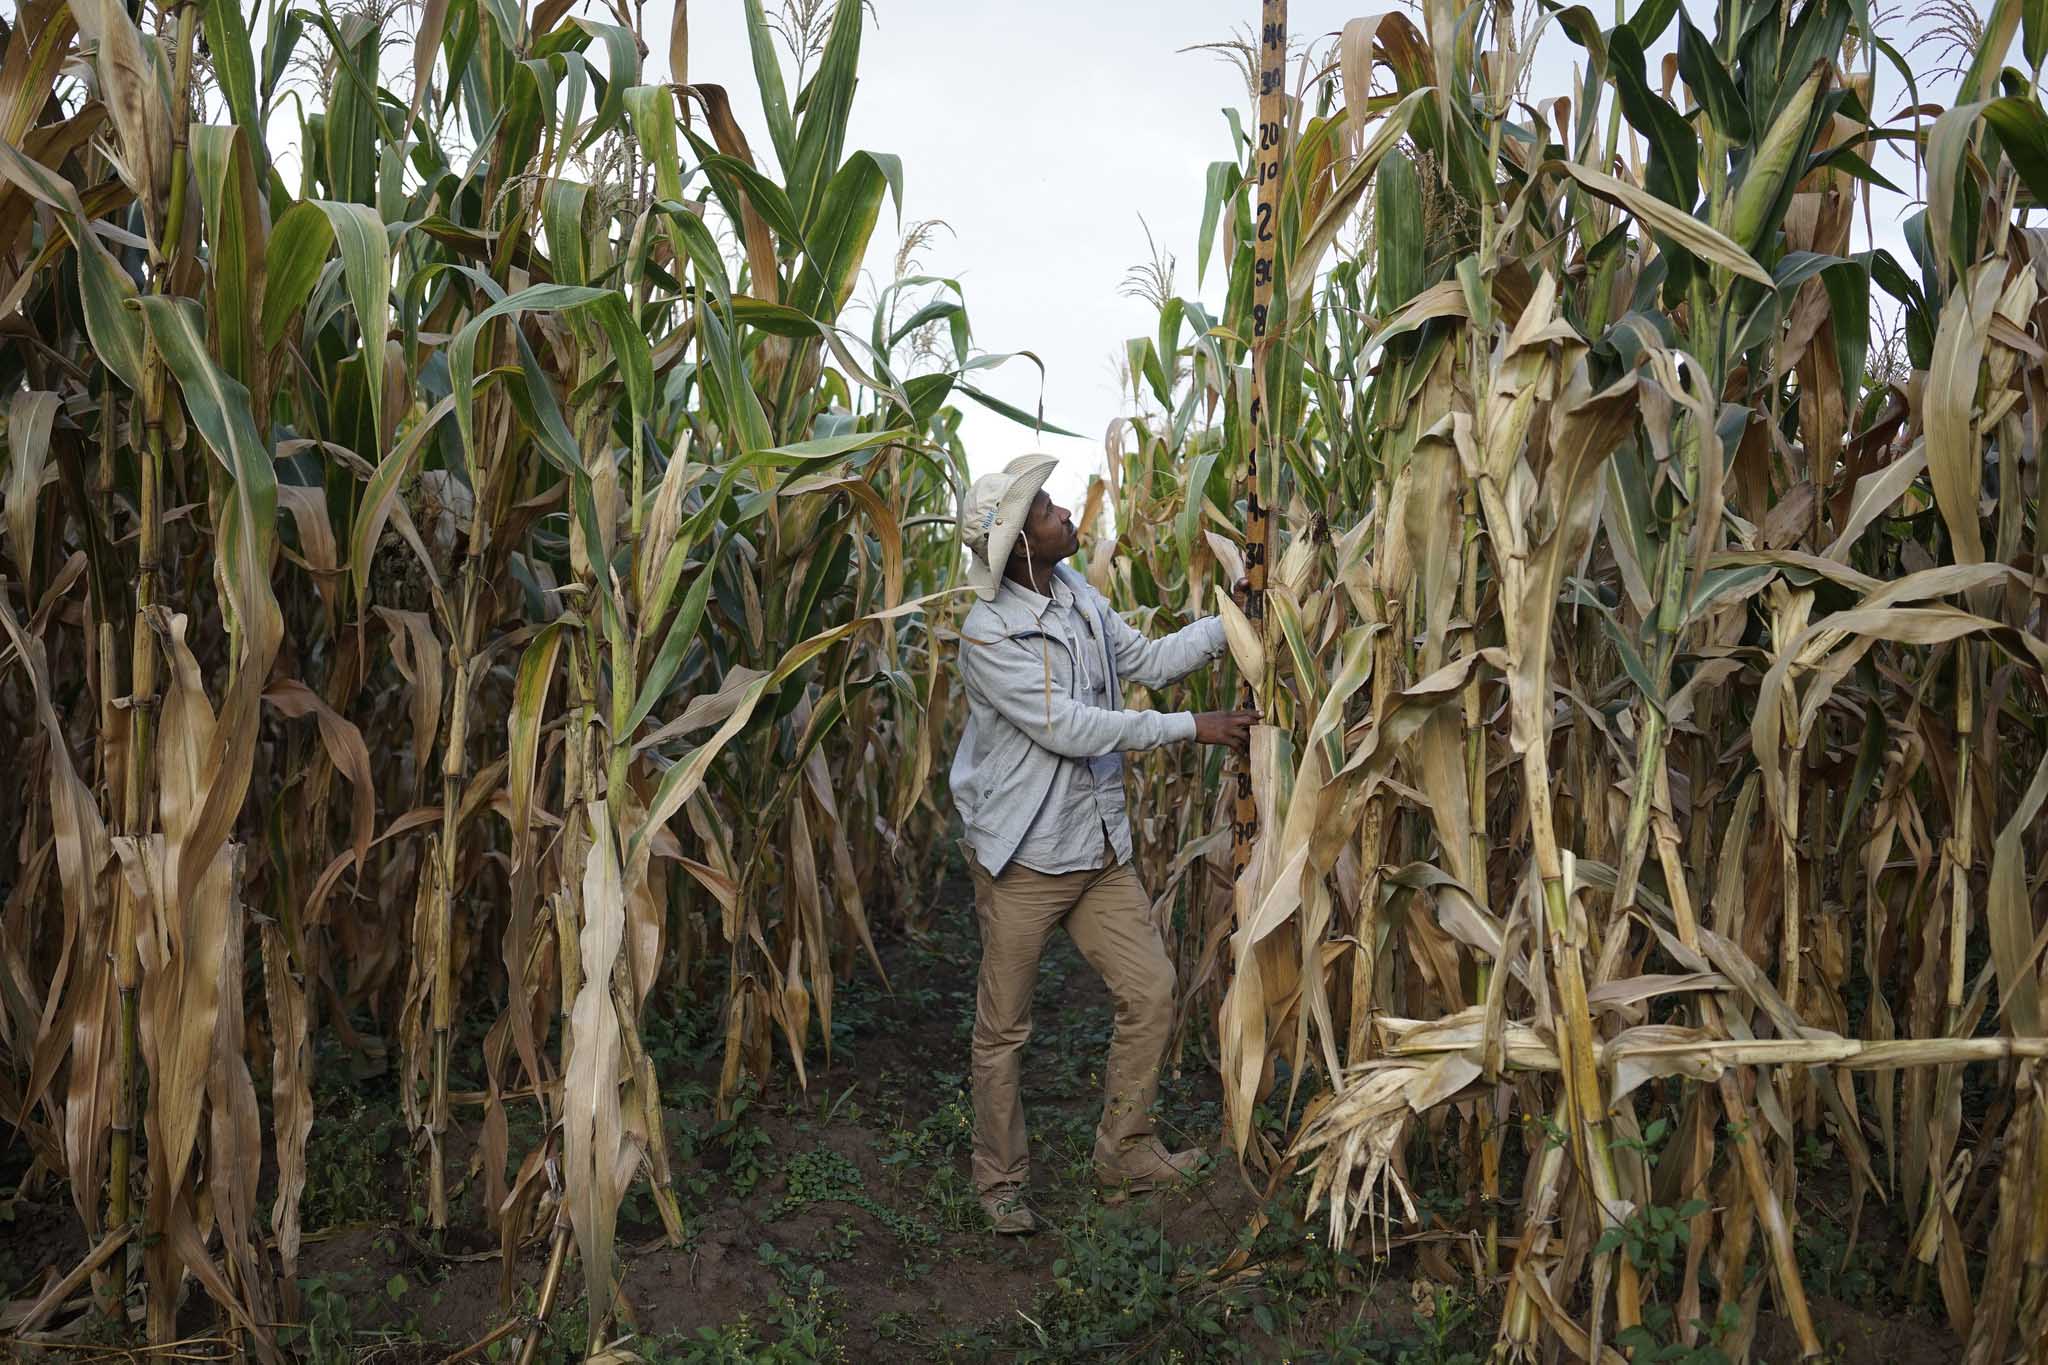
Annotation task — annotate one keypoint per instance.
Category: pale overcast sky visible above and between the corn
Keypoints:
(1041, 134)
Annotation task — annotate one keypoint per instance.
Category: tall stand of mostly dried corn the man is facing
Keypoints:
(1641, 629)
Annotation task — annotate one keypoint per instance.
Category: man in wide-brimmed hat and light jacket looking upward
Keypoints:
(1039, 783)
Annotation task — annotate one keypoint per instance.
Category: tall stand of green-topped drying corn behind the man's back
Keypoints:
(507, 494)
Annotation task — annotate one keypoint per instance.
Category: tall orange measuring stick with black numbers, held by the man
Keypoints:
(1258, 525)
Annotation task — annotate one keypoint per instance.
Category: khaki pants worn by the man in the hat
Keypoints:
(1111, 922)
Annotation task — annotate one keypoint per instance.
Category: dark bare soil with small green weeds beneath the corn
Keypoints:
(839, 1221)
